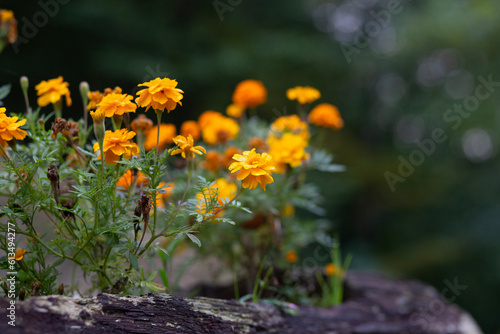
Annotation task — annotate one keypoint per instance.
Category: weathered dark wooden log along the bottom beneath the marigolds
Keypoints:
(374, 305)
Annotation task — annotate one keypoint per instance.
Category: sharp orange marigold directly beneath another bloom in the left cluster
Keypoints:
(116, 144)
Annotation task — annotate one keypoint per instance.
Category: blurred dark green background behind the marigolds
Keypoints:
(394, 87)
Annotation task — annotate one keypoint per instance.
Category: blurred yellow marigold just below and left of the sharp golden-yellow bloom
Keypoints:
(225, 192)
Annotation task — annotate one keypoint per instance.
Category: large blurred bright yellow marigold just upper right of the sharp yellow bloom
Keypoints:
(289, 149)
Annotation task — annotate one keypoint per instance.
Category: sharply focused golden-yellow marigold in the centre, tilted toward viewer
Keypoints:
(253, 169)
